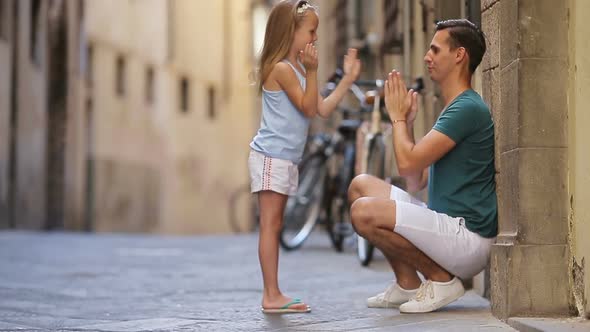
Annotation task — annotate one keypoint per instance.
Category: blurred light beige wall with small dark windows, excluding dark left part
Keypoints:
(172, 111)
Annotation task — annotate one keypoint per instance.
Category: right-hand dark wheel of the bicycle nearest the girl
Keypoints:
(338, 222)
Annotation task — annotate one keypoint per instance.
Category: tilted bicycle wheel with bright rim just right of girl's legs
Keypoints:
(303, 209)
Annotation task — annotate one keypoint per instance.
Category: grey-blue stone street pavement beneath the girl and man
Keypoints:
(115, 282)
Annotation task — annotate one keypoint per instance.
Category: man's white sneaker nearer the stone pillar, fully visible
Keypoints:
(433, 295)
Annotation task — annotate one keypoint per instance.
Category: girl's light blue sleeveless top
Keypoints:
(283, 128)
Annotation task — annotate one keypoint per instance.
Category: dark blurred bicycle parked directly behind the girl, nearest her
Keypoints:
(325, 152)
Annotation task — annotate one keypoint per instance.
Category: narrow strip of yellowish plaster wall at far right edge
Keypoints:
(579, 159)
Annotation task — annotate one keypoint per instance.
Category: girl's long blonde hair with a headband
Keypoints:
(283, 20)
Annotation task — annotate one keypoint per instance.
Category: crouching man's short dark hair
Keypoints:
(465, 34)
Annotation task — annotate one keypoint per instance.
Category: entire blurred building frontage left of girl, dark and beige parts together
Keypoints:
(126, 115)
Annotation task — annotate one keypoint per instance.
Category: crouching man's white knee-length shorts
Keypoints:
(444, 239)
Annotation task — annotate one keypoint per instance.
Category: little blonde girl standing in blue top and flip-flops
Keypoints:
(289, 87)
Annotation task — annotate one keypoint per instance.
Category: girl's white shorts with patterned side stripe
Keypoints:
(278, 175)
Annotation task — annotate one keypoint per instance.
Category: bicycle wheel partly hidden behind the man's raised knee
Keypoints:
(375, 167)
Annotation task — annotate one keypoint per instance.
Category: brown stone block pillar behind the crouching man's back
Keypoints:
(525, 82)
